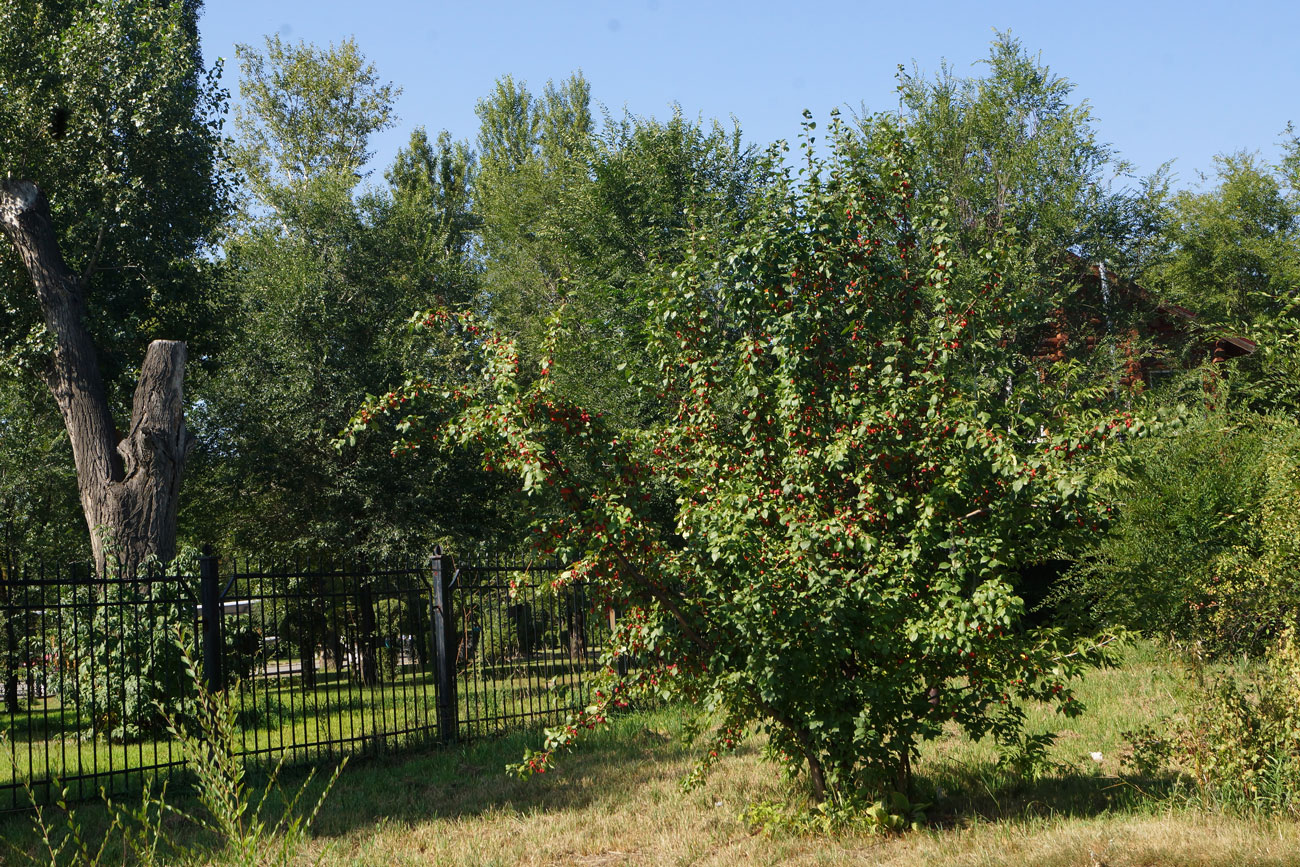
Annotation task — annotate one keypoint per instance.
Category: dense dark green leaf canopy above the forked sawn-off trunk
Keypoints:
(109, 110)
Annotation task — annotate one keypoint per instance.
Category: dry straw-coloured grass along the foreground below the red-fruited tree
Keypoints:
(619, 804)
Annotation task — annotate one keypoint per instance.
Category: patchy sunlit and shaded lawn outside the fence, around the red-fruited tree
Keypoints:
(617, 801)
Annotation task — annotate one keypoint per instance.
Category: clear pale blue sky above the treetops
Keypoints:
(1167, 81)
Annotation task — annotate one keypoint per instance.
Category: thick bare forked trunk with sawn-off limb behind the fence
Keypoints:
(129, 484)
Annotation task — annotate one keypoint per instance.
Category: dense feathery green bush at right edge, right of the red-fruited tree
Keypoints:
(1208, 537)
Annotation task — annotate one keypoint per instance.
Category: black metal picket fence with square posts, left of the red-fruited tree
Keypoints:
(323, 660)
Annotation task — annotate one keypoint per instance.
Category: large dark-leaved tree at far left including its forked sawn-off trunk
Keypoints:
(111, 193)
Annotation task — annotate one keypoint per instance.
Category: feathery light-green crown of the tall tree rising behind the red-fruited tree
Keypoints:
(1012, 150)
